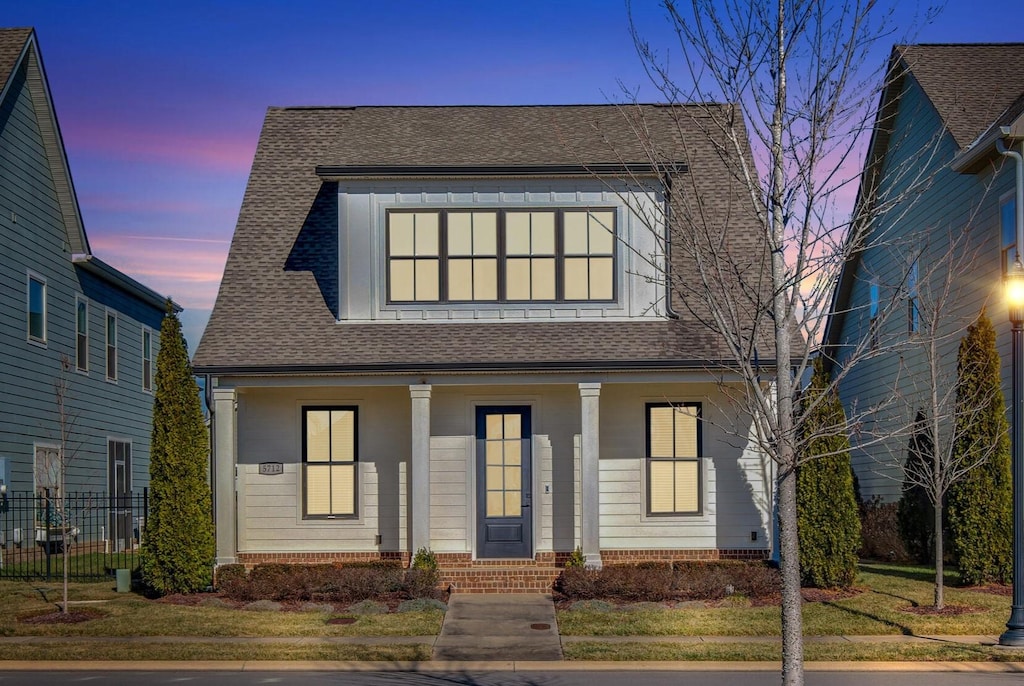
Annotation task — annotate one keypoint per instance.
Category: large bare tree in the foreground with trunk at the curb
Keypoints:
(798, 106)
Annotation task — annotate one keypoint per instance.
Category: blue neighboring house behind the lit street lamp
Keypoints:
(938, 121)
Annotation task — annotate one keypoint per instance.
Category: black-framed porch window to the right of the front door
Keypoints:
(674, 459)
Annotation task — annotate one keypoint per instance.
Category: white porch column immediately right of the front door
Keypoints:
(590, 396)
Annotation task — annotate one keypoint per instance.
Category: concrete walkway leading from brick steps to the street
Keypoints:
(499, 627)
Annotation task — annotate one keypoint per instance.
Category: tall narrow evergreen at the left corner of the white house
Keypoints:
(179, 542)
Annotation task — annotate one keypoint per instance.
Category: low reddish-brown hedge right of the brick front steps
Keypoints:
(655, 582)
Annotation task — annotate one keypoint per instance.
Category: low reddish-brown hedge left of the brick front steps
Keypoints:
(327, 583)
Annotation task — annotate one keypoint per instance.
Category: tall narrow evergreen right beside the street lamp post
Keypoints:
(980, 507)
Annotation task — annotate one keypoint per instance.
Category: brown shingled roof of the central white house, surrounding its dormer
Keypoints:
(272, 317)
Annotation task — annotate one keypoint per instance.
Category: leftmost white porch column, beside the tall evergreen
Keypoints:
(226, 457)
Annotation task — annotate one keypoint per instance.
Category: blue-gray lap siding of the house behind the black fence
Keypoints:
(35, 240)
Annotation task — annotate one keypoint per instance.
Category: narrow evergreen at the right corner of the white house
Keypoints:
(828, 518)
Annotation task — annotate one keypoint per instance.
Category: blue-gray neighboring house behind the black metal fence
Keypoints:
(60, 304)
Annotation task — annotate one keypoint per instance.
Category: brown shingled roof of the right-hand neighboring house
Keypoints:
(971, 85)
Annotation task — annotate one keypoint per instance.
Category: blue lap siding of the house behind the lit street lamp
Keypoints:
(948, 206)
